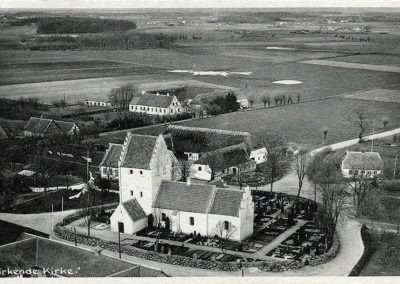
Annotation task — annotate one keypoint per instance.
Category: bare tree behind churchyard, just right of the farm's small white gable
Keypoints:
(277, 158)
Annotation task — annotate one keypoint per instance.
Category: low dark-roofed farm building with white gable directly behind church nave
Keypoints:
(229, 160)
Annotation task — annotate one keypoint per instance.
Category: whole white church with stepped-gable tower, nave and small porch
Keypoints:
(147, 174)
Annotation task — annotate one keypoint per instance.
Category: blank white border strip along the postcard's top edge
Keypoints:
(194, 3)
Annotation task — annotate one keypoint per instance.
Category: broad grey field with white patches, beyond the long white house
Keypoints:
(318, 81)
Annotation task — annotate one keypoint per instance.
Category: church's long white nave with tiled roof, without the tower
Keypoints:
(204, 209)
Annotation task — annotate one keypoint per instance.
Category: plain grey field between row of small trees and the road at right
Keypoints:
(302, 123)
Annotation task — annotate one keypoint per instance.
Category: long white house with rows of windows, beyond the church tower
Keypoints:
(156, 104)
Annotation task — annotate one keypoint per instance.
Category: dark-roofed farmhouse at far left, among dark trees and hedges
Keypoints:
(43, 126)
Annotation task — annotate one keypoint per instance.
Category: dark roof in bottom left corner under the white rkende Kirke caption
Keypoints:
(33, 256)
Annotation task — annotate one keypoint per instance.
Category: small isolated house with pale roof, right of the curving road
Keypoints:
(362, 164)
